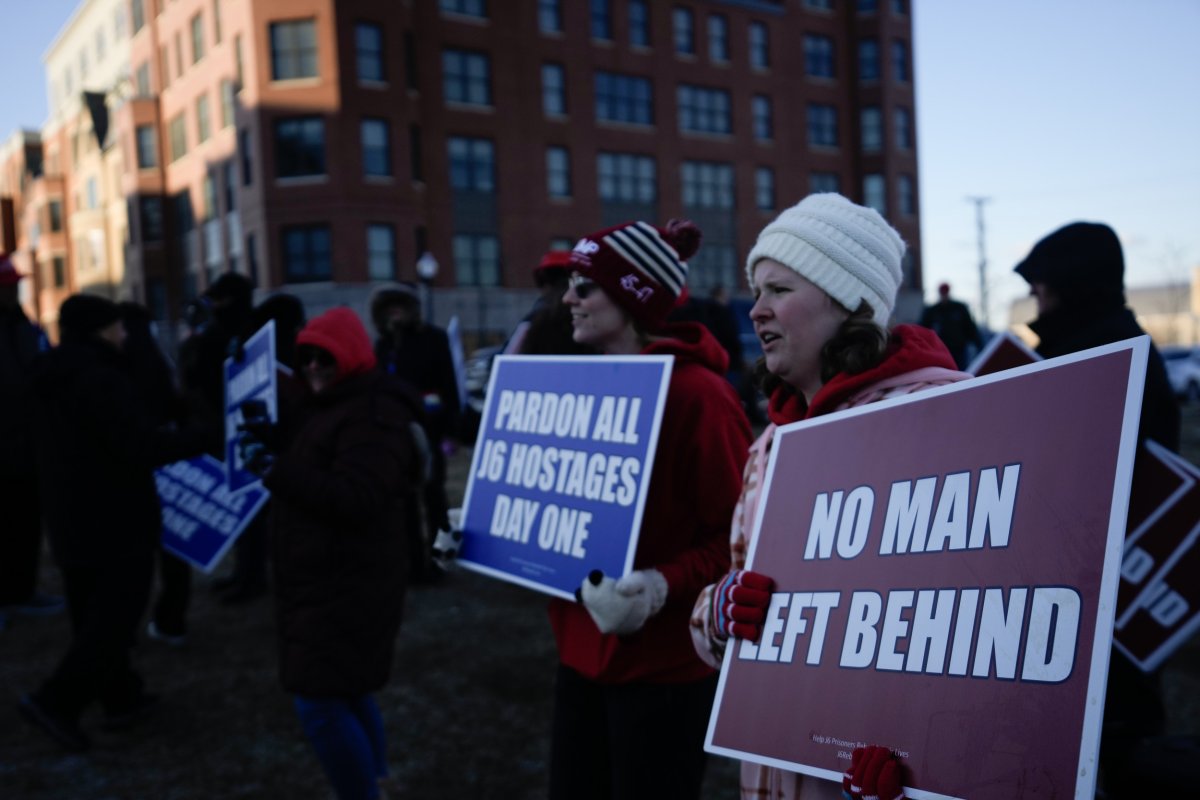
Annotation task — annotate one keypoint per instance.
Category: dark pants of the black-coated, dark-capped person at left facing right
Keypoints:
(106, 603)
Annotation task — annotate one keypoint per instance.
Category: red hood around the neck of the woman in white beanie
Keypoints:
(910, 348)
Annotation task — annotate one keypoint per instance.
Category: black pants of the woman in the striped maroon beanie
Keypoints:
(628, 742)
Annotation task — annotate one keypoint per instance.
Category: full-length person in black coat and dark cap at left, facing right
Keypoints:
(97, 450)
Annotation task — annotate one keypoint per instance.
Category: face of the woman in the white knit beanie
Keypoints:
(794, 320)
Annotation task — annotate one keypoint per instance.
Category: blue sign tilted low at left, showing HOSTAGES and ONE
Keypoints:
(201, 516)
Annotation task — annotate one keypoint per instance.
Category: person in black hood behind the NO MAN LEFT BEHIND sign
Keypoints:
(1078, 276)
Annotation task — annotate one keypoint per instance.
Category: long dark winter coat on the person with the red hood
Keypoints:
(338, 532)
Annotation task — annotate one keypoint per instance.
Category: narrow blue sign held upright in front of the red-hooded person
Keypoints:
(251, 378)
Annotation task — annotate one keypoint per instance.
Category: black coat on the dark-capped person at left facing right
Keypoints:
(97, 450)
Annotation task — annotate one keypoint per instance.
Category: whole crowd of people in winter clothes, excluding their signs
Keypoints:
(356, 465)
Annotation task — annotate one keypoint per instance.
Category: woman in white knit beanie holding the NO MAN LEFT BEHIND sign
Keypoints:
(825, 275)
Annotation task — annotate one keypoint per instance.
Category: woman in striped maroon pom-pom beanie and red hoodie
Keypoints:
(632, 700)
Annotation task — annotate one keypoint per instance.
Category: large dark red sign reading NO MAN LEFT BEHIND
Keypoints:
(946, 569)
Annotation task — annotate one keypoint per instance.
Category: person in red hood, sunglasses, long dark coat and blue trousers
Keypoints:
(339, 482)
